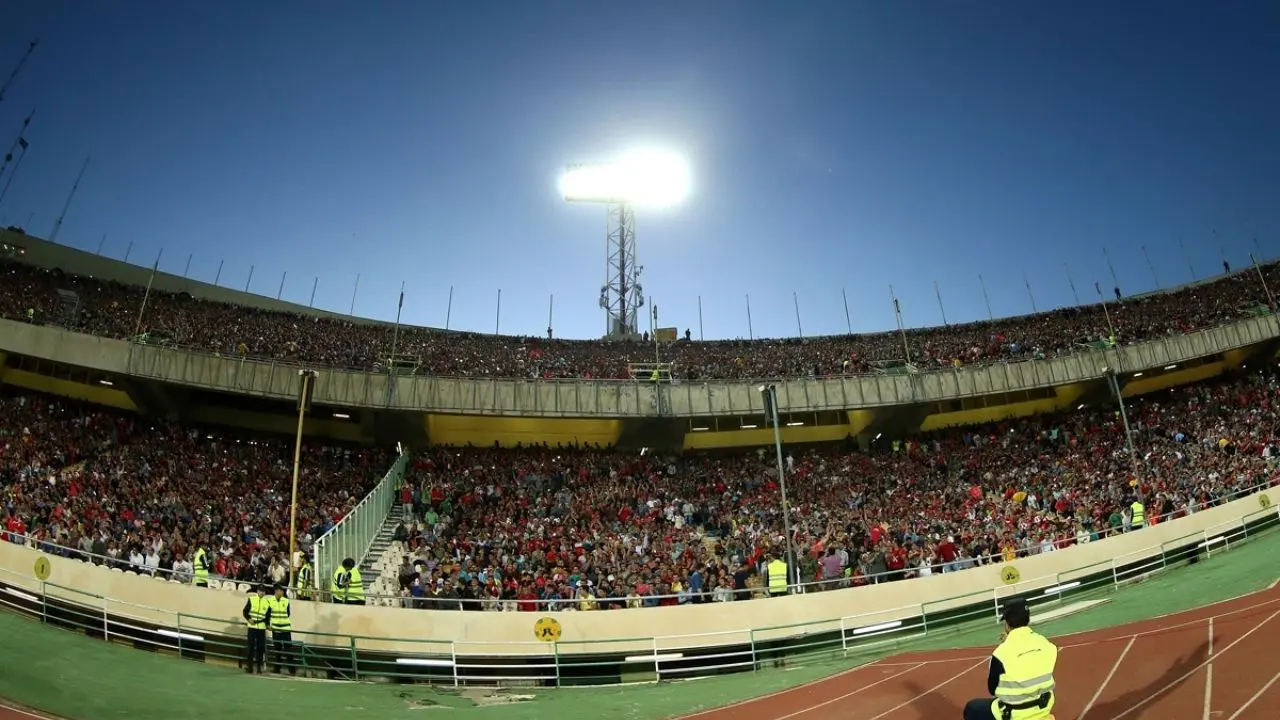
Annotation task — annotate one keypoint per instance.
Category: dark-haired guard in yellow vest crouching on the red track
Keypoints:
(1022, 673)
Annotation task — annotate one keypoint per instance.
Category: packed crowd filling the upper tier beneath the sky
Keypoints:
(112, 309)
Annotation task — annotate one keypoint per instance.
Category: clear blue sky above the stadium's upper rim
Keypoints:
(836, 145)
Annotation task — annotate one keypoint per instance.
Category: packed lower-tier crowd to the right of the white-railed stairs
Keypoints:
(583, 530)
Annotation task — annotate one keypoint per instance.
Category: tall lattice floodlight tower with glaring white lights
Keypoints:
(641, 179)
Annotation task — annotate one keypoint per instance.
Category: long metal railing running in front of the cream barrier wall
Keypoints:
(606, 662)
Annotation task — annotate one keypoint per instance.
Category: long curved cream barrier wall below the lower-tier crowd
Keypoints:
(616, 631)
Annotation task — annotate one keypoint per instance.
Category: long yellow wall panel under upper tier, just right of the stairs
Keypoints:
(463, 430)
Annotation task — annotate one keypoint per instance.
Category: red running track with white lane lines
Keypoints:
(1215, 663)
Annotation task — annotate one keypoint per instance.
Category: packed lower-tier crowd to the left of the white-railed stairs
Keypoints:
(140, 494)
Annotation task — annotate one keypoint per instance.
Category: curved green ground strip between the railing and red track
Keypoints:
(85, 680)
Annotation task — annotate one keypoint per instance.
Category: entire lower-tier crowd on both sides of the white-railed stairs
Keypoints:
(579, 528)
